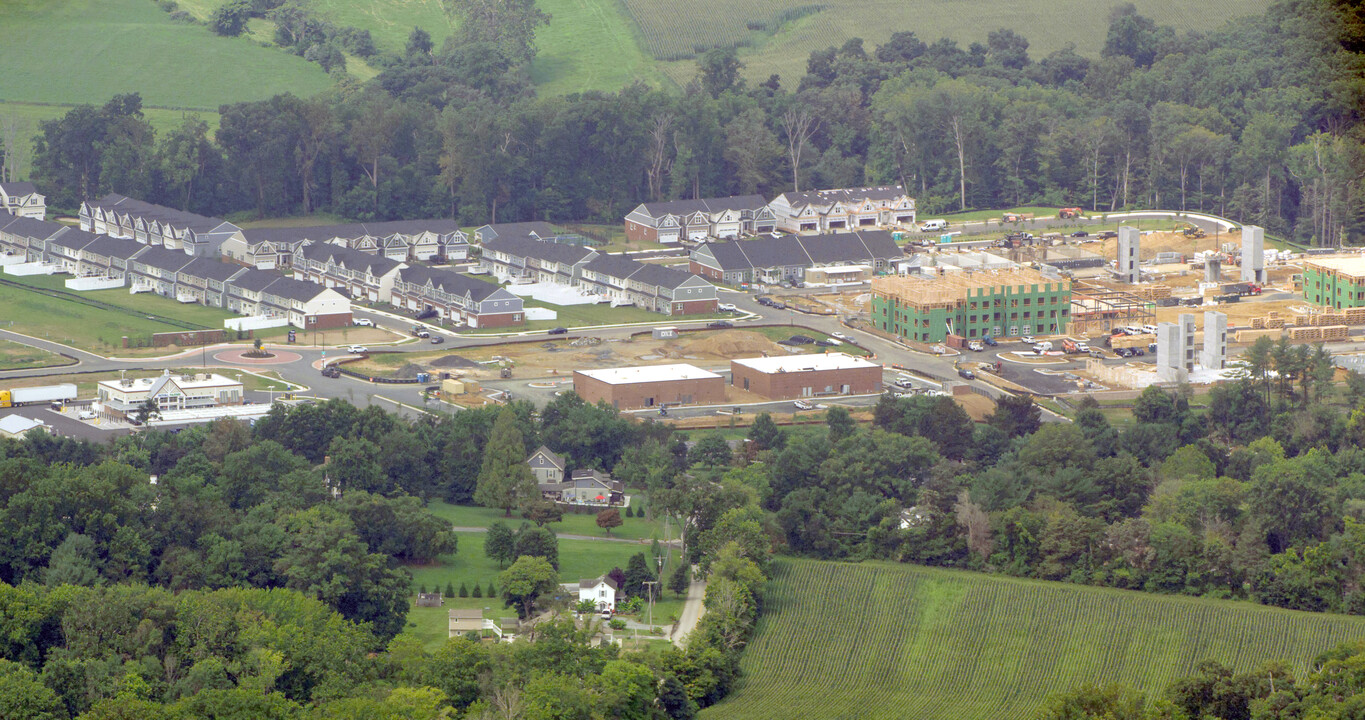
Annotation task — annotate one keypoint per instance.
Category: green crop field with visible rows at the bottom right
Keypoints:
(881, 640)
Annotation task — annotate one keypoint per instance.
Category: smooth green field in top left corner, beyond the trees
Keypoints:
(87, 51)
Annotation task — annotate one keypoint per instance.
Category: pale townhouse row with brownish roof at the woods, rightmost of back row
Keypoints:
(844, 210)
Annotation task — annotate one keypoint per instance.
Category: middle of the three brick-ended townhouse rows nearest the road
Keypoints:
(457, 297)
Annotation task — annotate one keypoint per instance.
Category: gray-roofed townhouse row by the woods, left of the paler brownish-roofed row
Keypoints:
(700, 219)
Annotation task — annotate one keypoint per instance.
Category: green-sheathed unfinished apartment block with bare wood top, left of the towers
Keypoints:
(1001, 304)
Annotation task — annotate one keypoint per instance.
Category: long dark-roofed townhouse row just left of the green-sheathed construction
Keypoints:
(775, 260)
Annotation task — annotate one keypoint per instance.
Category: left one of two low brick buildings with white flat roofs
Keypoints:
(650, 386)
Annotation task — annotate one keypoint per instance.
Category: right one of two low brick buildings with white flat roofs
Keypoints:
(807, 376)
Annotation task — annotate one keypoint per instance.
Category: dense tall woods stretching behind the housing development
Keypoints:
(1258, 121)
